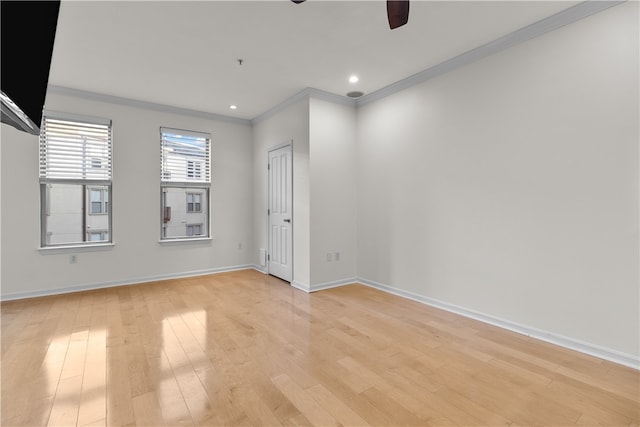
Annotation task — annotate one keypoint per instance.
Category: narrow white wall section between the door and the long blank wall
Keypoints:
(332, 173)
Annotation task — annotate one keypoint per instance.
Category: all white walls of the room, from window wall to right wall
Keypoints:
(508, 187)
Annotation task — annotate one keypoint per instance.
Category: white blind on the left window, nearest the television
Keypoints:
(75, 150)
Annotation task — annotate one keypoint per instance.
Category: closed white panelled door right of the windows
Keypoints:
(280, 213)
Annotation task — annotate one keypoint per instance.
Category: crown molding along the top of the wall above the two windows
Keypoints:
(142, 104)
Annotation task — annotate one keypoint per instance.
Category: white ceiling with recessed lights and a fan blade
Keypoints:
(184, 53)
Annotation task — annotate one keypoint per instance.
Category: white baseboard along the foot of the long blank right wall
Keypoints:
(550, 337)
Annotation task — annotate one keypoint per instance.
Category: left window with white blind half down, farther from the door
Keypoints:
(75, 179)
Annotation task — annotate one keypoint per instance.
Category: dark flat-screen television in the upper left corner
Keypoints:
(28, 30)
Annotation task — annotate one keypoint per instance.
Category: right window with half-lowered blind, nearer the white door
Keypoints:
(185, 182)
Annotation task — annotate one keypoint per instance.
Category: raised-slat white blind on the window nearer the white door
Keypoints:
(185, 156)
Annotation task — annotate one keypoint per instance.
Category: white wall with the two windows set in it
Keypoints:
(137, 253)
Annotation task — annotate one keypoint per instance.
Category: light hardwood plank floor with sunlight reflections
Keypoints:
(247, 349)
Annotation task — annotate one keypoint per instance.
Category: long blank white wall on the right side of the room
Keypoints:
(510, 186)
